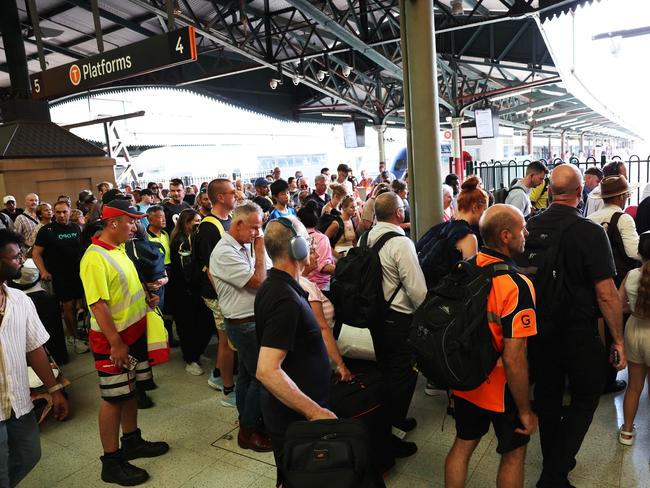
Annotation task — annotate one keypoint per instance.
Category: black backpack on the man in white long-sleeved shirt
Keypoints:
(357, 291)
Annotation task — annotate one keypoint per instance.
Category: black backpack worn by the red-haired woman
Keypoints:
(436, 252)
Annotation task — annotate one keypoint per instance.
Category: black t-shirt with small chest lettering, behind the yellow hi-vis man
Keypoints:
(62, 248)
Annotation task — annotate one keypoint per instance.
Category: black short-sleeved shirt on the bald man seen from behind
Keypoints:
(586, 256)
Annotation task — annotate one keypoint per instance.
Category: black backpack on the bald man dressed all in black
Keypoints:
(543, 262)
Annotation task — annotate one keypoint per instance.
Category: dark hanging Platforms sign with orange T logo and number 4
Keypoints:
(153, 54)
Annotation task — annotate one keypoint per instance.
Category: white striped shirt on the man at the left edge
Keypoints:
(21, 331)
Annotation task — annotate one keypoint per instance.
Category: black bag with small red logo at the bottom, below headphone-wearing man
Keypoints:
(327, 453)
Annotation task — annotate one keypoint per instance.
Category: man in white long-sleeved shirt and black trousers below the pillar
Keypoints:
(404, 289)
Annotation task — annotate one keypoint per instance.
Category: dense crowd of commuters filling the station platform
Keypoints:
(255, 262)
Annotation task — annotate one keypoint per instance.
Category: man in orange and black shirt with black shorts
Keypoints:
(502, 399)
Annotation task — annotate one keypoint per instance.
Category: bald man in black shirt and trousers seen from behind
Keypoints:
(572, 283)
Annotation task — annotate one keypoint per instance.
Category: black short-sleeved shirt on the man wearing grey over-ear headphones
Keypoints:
(284, 320)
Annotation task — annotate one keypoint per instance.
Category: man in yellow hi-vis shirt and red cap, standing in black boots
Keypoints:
(118, 340)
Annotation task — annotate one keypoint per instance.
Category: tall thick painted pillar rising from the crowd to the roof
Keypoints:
(421, 114)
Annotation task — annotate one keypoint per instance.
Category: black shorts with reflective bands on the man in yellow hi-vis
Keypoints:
(117, 387)
